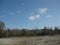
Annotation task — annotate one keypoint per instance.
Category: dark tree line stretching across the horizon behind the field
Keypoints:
(25, 32)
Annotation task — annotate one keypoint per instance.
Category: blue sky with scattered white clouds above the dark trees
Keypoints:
(30, 13)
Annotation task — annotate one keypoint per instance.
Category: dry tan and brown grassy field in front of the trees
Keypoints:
(40, 40)
